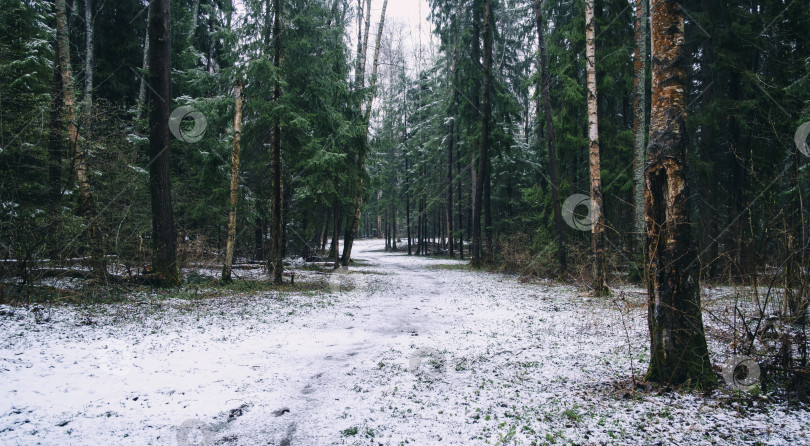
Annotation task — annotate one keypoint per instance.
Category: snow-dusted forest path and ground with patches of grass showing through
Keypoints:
(402, 350)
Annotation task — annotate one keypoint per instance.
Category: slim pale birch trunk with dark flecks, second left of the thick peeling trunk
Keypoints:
(598, 229)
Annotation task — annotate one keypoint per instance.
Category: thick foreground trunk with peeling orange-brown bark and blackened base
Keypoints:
(678, 351)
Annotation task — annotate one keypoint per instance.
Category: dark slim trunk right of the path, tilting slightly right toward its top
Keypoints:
(484, 141)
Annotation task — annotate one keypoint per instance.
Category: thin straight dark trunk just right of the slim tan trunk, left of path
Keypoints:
(278, 195)
